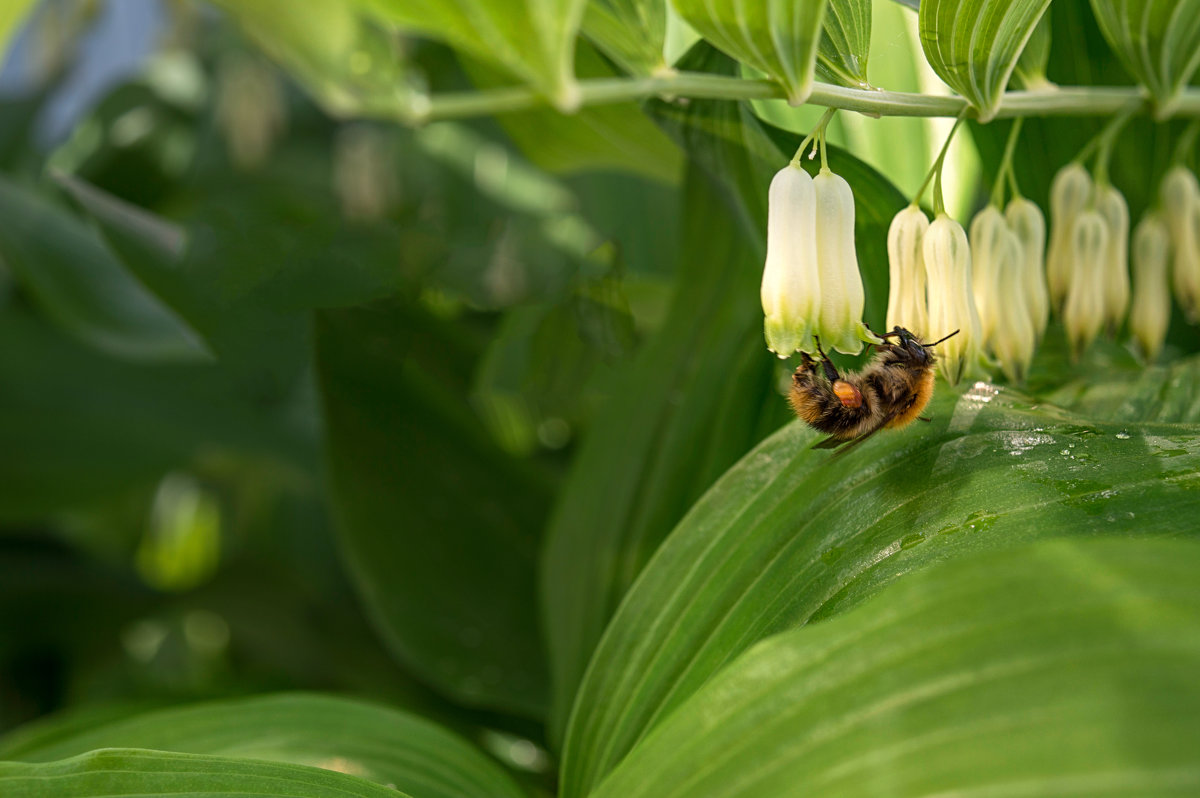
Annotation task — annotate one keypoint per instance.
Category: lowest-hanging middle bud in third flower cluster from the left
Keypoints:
(1013, 338)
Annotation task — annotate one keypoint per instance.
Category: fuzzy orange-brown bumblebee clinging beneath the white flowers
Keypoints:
(891, 392)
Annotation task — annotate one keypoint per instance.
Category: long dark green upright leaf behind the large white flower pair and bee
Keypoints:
(619, 503)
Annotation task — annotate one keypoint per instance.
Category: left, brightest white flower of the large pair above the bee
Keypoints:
(790, 280)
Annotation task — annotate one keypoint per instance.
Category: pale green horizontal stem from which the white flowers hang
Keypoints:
(1084, 101)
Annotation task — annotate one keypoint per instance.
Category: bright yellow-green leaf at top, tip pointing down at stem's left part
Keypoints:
(533, 39)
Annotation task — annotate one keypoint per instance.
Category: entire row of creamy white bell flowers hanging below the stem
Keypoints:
(998, 286)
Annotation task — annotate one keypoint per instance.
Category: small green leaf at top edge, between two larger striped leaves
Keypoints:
(632, 33)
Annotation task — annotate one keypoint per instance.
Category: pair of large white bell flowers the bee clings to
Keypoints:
(812, 289)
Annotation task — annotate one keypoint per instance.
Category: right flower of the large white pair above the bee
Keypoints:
(841, 320)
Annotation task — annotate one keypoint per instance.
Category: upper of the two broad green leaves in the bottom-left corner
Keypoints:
(376, 743)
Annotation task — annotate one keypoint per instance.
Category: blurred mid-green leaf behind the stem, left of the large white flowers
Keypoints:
(601, 137)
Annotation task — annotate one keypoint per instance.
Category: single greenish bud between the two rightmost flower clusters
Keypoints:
(1151, 311)
